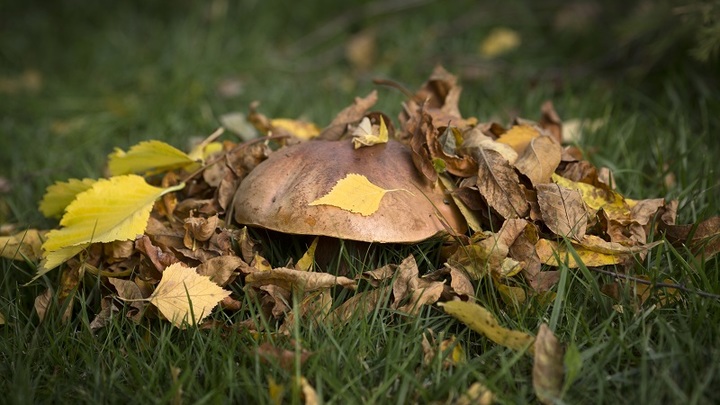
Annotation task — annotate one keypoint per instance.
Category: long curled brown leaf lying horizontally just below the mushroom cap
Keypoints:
(291, 279)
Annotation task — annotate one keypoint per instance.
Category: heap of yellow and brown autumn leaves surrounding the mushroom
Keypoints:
(158, 232)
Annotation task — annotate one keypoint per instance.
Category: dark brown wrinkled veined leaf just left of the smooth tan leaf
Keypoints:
(499, 185)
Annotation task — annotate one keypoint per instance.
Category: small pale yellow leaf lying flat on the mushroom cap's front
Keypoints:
(354, 193)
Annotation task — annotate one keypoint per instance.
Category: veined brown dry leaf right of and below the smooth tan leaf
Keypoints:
(562, 210)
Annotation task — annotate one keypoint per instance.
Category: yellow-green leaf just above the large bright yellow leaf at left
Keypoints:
(149, 156)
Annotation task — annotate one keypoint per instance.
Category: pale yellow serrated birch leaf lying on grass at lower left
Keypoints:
(183, 296)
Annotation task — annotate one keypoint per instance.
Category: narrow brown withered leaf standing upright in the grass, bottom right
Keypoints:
(548, 367)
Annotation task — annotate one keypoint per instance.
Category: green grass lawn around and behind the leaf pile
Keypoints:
(115, 75)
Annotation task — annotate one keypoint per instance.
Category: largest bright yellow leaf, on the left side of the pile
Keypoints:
(113, 209)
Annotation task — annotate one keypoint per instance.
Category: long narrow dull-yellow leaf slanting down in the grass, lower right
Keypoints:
(482, 321)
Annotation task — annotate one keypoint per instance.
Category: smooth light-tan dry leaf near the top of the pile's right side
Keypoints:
(540, 159)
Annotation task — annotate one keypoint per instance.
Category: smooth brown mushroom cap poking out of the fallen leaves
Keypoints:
(277, 193)
